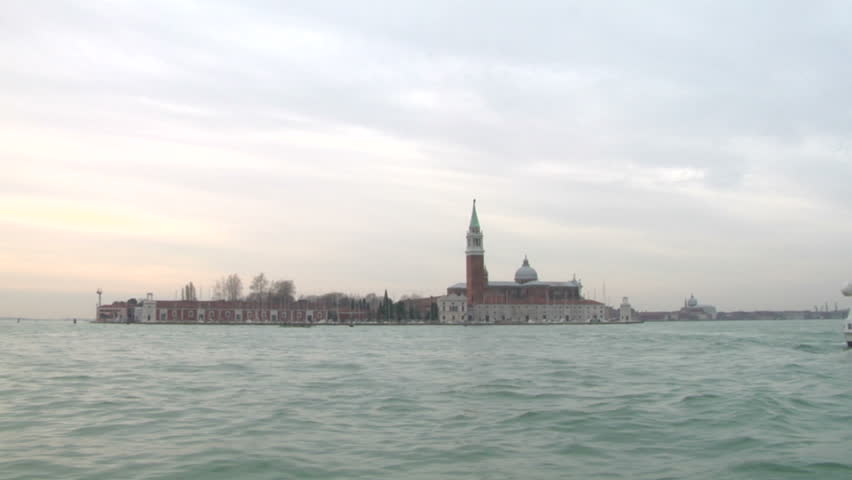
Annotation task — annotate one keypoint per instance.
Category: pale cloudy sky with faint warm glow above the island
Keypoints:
(655, 149)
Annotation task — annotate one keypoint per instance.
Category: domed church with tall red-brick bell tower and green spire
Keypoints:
(524, 300)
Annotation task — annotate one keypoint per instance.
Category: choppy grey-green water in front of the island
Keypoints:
(720, 400)
